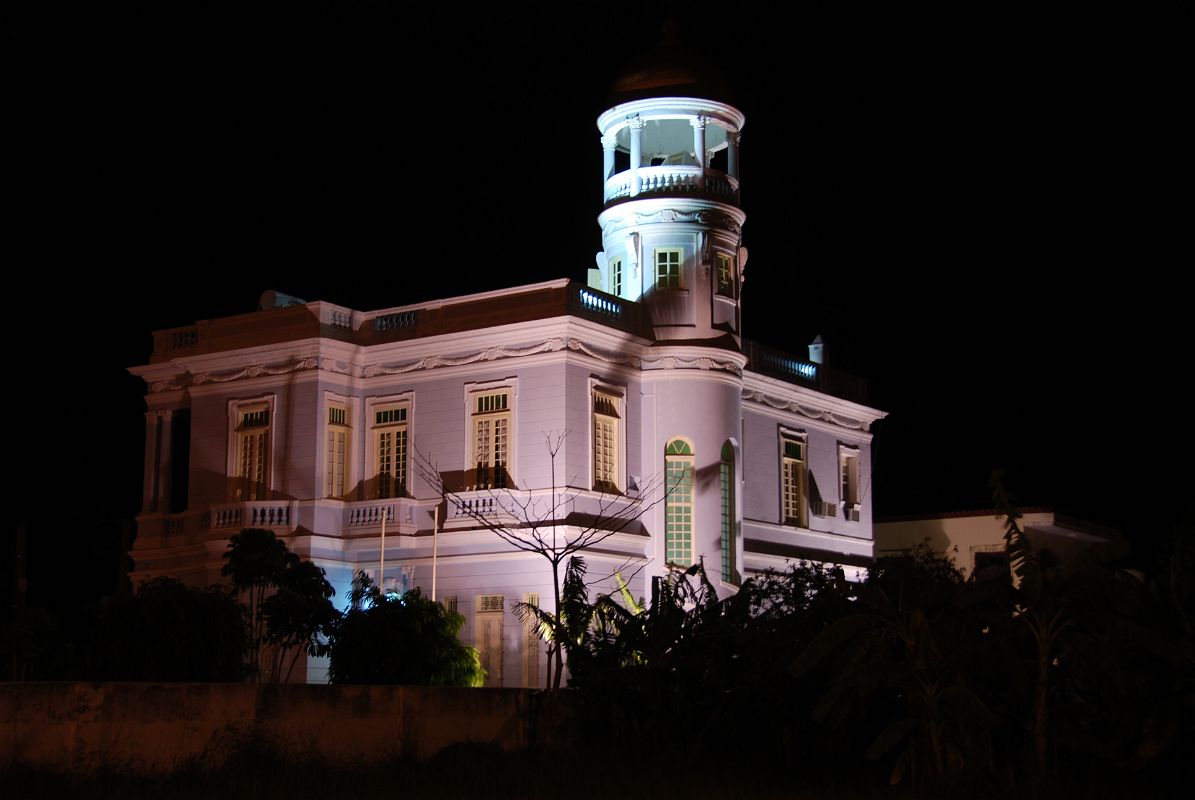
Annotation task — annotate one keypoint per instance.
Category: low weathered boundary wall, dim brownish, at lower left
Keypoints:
(161, 728)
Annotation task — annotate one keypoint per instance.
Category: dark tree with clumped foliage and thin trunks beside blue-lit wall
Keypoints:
(289, 601)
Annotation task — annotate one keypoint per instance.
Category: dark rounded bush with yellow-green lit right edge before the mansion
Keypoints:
(390, 639)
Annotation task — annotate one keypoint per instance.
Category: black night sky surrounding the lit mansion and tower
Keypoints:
(980, 211)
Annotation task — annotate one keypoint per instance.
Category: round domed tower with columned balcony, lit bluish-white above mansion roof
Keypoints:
(672, 225)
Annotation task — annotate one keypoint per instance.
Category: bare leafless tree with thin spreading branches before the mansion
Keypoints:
(547, 522)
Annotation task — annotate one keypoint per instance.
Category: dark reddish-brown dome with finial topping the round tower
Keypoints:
(671, 70)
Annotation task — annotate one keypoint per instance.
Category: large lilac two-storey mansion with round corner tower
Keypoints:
(307, 418)
